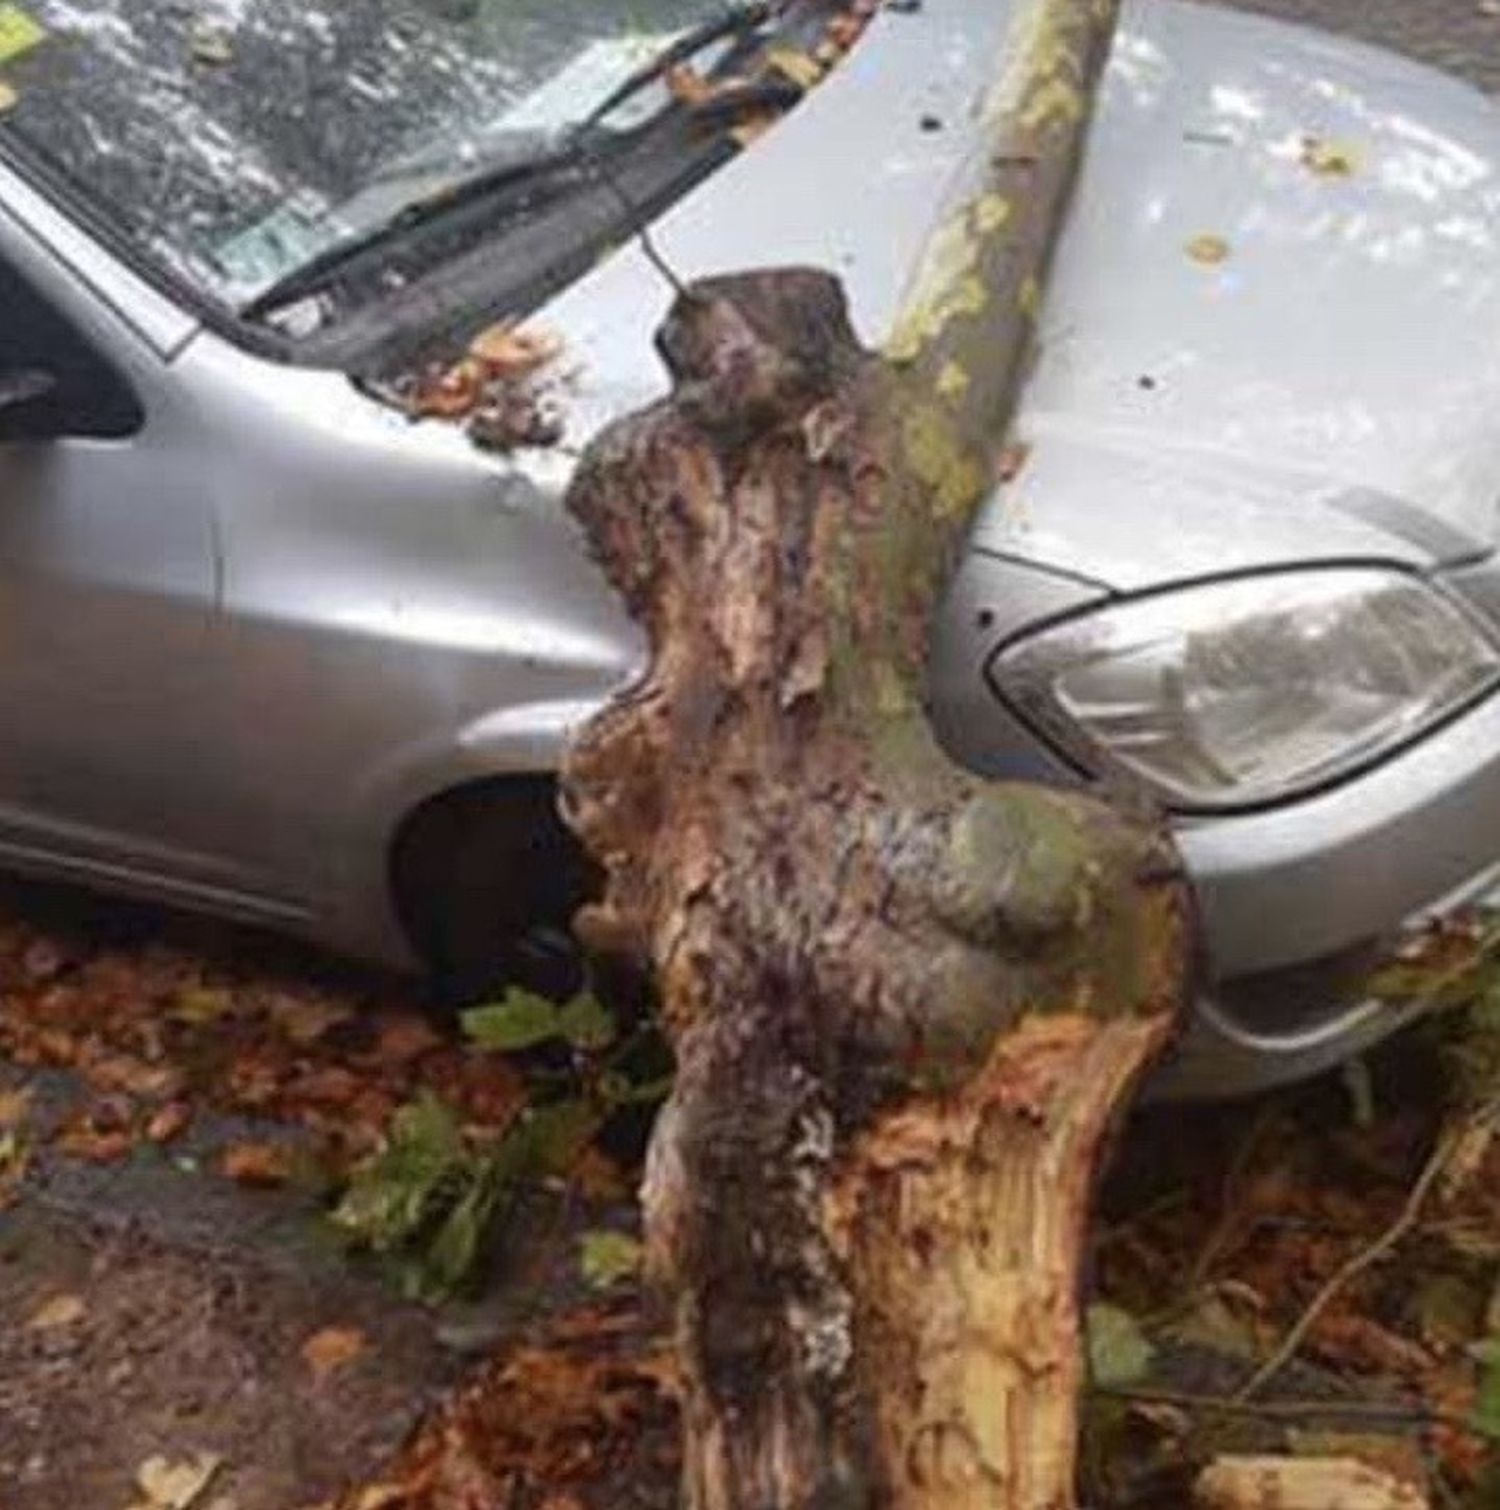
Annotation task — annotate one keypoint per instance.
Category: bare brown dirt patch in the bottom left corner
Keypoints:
(187, 1352)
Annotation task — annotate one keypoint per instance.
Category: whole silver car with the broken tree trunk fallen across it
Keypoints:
(273, 650)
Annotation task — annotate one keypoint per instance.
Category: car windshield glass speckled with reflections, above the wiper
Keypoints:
(229, 141)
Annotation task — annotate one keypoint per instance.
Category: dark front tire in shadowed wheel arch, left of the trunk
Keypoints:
(489, 881)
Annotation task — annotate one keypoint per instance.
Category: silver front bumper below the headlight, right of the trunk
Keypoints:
(1303, 905)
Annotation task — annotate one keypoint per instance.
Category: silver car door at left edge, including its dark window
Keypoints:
(108, 587)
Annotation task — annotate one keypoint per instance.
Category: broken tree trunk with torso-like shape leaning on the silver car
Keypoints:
(907, 1005)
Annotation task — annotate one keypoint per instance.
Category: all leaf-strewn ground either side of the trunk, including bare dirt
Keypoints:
(1312, 1275)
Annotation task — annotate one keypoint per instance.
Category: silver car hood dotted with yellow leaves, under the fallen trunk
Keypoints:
(1273, 331)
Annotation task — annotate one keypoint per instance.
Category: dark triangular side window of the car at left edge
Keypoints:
(52, 380)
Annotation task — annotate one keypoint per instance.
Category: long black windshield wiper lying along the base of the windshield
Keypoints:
(581, 149)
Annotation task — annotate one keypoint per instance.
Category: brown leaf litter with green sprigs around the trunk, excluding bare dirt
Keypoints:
(1220, 1230)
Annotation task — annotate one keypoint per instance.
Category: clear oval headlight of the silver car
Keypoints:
(1245, 691)
